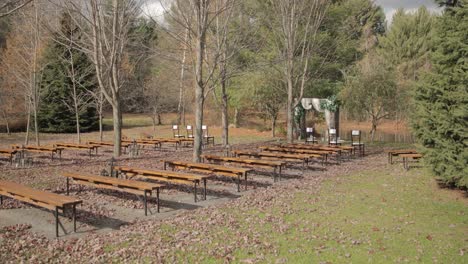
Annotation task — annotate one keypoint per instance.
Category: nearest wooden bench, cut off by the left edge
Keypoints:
(48, 200)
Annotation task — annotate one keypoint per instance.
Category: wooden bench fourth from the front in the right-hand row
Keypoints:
(211, 169)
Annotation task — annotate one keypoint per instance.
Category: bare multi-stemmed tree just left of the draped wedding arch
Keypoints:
(295, 24)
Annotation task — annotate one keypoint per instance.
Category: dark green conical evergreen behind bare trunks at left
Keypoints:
(57, 113)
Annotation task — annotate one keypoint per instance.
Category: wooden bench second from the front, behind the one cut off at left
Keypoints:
(122, 185)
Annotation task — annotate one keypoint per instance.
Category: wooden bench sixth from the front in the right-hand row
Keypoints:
(304, 158)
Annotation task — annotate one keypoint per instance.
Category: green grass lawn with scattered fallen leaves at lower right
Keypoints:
(378, 216)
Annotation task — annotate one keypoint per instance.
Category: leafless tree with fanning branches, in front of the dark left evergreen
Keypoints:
(106, 42)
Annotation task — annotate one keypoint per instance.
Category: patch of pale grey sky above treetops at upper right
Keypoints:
(390, 6)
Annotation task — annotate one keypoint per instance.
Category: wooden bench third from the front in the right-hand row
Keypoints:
(167, 176)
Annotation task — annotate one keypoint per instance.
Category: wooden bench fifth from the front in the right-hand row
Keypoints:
(276, 165)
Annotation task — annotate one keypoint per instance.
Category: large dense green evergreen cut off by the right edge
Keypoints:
(441, 120)
